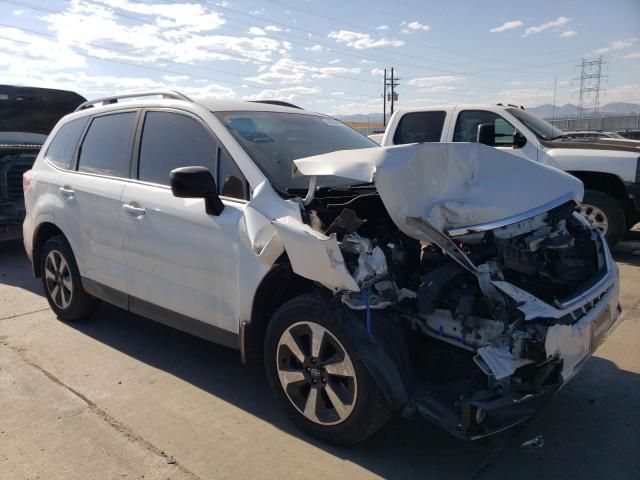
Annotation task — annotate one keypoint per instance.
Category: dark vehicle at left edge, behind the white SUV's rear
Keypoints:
(27, 115)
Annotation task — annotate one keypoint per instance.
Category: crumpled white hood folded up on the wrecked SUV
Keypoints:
(451, 185)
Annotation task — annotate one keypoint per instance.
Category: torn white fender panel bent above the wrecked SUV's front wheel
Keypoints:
(314, 255)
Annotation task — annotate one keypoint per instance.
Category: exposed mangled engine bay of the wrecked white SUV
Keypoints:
(469, 340)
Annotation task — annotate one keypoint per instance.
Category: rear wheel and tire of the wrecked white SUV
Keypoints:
(61, 281)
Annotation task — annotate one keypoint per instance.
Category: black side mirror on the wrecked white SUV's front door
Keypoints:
(196, 182)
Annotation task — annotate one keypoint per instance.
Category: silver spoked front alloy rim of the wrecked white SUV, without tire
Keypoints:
(316, 373)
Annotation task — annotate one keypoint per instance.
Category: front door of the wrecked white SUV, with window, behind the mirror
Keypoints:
(178, 257)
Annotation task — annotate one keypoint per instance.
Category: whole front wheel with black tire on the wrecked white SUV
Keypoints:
(362, 408)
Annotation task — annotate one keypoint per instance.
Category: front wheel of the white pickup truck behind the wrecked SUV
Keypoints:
(598, 207)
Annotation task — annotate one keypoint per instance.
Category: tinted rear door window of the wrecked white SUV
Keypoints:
(105, 149)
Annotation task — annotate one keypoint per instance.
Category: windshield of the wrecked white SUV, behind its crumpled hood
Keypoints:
(274, 140)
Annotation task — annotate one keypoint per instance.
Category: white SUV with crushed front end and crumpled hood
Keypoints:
(454, 281)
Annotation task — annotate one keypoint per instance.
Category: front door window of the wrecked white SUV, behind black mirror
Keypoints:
(170, 140)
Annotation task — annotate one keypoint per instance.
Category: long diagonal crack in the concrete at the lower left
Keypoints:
(109, 419)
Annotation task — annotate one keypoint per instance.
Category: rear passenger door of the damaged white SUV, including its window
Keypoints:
(90, 210)
